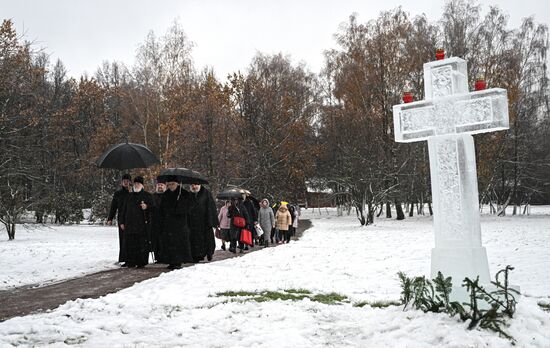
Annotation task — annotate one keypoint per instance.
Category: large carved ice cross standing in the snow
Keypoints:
(447, 118)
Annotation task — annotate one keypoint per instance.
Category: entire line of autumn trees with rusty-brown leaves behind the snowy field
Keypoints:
(276, 128)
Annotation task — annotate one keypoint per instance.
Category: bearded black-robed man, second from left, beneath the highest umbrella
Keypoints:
(135, 222)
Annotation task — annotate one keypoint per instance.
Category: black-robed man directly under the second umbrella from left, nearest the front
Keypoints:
(174, 225)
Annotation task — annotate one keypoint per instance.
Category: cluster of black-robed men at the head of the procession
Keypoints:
(174, 223)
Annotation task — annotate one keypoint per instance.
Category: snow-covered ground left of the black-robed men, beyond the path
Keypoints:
(44, 254)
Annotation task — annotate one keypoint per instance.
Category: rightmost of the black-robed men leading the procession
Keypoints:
(203, 218)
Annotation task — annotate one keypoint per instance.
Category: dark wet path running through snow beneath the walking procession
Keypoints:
(28, 300)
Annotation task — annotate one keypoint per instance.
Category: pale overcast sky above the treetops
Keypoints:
(227, 34)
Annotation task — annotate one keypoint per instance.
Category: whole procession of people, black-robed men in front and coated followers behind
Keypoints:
(177, 225)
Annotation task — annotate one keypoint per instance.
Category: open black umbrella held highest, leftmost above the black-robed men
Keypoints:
(127, 156)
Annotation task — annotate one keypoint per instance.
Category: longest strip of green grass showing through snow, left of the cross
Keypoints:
(285, 295)
